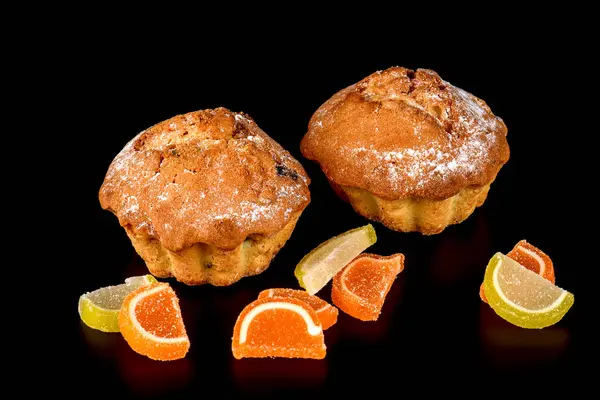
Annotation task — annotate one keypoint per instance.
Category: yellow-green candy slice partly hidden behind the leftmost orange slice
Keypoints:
(100, 309)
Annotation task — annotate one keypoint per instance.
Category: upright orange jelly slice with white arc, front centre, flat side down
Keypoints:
(278, 327)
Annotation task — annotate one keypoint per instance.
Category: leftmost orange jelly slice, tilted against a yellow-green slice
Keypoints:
(151, 323)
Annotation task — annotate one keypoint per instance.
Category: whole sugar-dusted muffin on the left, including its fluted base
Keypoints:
(206, 197)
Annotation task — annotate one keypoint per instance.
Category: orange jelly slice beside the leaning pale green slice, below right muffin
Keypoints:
(360, 288)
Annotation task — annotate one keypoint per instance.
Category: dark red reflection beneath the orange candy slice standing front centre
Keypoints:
(263, 374)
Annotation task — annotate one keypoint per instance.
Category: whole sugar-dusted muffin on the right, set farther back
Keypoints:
(408, 149)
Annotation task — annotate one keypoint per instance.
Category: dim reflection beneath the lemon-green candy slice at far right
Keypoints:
(505, 343)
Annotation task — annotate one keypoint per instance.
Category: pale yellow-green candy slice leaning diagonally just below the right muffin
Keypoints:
(320, 265)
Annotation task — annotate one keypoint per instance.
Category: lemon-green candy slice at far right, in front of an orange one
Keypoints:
(523, 297)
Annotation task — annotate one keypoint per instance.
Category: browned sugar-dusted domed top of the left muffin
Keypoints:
(210, 176)
